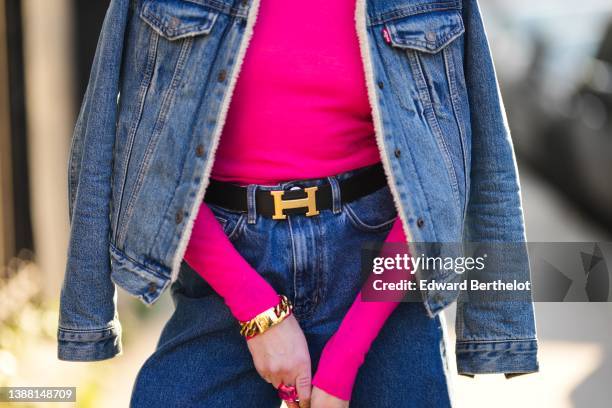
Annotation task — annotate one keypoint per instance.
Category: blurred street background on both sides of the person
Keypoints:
(554, 61)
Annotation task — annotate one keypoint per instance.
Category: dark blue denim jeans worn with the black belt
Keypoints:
(202, 361)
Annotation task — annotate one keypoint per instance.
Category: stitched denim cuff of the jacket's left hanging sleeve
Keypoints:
(89, 344)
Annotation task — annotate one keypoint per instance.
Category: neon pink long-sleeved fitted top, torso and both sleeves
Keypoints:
(299, 110)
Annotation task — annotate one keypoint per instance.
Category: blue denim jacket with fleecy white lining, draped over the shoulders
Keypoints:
(147, 131)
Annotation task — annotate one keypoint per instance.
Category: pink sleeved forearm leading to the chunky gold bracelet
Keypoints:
(211, 254)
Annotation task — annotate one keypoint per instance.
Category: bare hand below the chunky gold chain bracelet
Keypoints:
(281, 355)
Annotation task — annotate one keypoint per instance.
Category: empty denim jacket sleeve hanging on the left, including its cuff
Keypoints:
(88, 325)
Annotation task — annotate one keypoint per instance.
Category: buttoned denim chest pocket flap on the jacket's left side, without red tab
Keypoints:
(174, 19)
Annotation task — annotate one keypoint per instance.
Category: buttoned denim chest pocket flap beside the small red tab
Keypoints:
(427, 32)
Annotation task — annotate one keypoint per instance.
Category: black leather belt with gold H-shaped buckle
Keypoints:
(305, 200)
